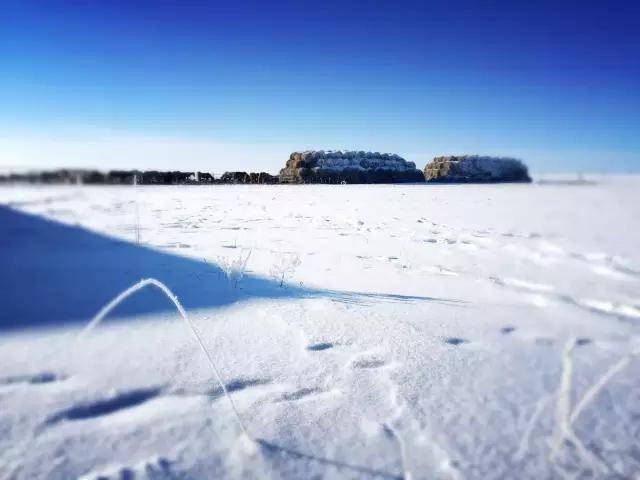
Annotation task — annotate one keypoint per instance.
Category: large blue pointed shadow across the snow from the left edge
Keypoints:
(52, 274)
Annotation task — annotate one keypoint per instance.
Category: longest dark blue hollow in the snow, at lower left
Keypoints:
(98, 408)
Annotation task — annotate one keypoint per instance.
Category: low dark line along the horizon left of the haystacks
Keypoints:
(129, 177)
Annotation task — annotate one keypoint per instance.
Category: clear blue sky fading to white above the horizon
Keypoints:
(238, 85)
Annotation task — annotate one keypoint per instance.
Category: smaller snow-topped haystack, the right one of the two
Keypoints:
(475, 169)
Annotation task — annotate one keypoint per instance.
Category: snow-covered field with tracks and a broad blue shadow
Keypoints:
(420, 331)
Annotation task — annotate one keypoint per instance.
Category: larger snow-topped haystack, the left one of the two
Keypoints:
(349, 167)
